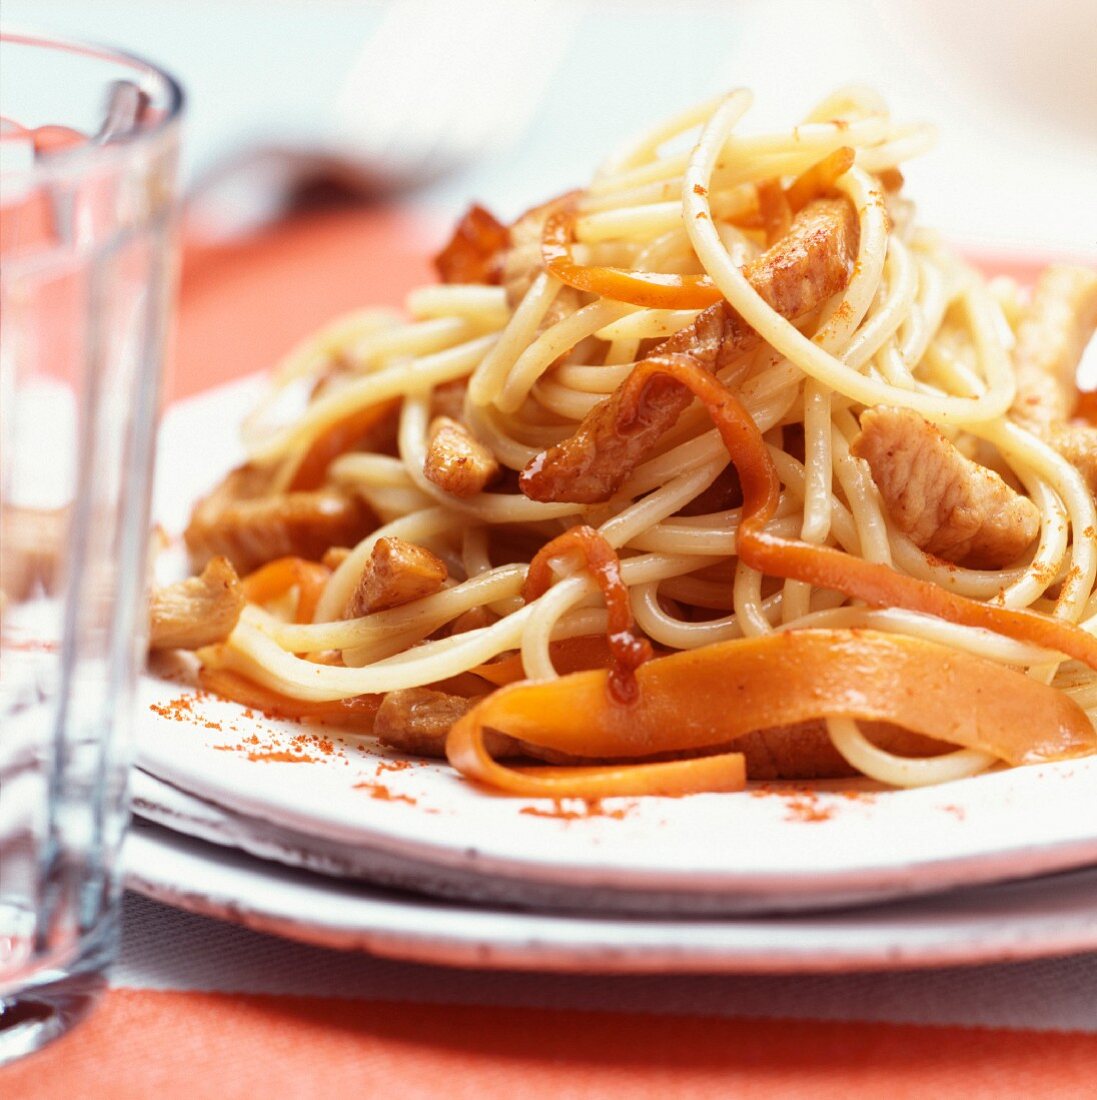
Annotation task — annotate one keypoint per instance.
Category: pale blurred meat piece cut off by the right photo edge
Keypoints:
(1051, 338)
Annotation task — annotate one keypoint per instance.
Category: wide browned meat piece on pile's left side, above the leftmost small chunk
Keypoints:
(239, 522)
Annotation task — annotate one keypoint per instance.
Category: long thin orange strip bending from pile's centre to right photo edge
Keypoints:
(825, 567)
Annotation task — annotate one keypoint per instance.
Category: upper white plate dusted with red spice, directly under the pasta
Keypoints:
(711, 853)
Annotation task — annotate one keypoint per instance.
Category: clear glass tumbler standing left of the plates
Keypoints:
(89, 145)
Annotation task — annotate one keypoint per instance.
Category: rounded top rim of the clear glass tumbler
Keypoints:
(87, 156)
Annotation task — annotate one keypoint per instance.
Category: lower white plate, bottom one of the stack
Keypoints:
(1018, 921)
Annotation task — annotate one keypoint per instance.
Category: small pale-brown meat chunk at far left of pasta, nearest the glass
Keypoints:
(198, 612)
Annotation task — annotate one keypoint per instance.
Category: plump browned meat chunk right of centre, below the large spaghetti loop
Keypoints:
(948, 505)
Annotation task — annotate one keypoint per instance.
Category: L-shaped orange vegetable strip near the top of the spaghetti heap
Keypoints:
(654, 290)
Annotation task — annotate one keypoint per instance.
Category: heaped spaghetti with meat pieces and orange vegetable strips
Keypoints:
(721, 468)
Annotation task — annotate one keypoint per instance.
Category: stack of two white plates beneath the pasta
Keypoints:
(317, 838)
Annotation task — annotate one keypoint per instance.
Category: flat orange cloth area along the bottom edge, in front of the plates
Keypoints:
(193, 1047)
